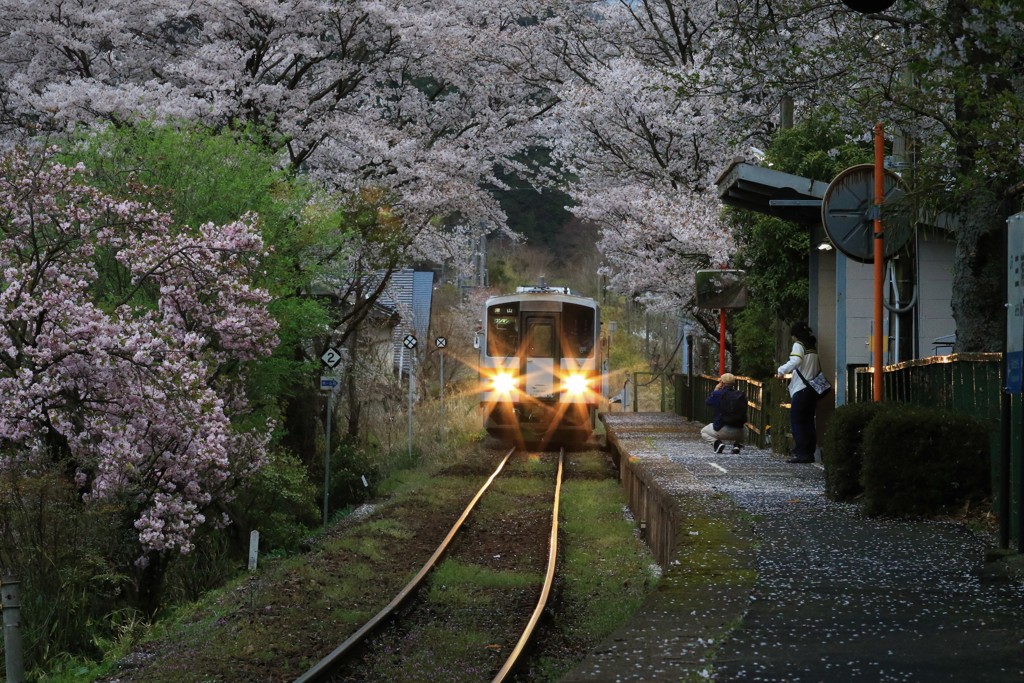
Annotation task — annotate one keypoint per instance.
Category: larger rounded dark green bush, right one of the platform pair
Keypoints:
(923, 461)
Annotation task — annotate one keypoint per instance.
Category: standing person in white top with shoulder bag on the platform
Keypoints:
(803, 400)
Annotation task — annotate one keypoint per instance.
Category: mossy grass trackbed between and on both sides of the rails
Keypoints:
(277, 623)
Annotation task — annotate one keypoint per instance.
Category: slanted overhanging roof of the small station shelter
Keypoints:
(746, 186)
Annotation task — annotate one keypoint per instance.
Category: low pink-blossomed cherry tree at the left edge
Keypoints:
(123, 349)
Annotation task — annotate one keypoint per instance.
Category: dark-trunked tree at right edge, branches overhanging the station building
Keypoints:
(945, 77)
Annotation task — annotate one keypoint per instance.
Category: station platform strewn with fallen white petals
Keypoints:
(770, 581)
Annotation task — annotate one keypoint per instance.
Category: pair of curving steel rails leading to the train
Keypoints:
(331, 668)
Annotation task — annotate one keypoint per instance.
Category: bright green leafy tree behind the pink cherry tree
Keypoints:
(199, 176)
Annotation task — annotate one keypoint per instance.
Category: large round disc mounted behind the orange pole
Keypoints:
(848, 214)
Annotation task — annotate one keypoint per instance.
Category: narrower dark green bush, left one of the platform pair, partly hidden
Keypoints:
(842, 452)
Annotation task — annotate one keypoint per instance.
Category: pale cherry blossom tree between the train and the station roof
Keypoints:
(644, 129)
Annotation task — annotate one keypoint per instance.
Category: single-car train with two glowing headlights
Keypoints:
(542, 366)
